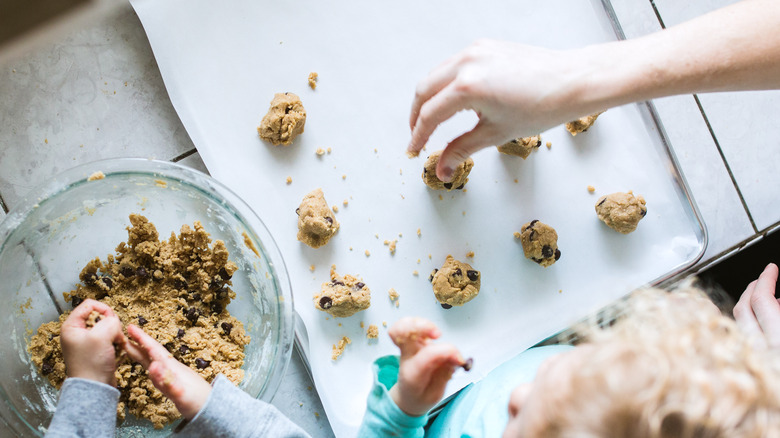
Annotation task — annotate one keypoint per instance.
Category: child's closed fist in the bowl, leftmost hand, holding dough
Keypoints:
(89, 352)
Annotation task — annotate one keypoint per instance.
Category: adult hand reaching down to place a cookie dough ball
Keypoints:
(516, 90)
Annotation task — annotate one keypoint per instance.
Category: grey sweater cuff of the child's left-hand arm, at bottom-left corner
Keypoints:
(85, 409)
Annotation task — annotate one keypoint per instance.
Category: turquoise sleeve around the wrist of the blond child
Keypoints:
(383, 418)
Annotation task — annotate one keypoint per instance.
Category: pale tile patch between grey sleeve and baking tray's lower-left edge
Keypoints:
(298, 400)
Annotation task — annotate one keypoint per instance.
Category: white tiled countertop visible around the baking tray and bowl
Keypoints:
(97, 93)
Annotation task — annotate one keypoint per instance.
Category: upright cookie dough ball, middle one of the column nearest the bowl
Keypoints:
(316, 221)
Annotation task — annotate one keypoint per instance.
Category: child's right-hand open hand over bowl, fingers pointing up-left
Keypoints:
(186, 388)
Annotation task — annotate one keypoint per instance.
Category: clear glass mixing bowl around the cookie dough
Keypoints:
(49, 237)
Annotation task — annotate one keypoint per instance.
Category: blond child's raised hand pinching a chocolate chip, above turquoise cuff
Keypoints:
(425, 367)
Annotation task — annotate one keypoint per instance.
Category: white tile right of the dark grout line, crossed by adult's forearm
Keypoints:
(745, 125)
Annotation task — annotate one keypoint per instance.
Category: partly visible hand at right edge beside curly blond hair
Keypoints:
(758, 311)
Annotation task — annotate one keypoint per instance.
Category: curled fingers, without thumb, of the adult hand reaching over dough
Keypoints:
(443, 105)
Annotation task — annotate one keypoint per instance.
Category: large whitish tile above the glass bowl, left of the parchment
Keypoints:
(97, 93)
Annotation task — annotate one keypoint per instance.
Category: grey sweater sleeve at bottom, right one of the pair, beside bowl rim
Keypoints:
(230, 412)
